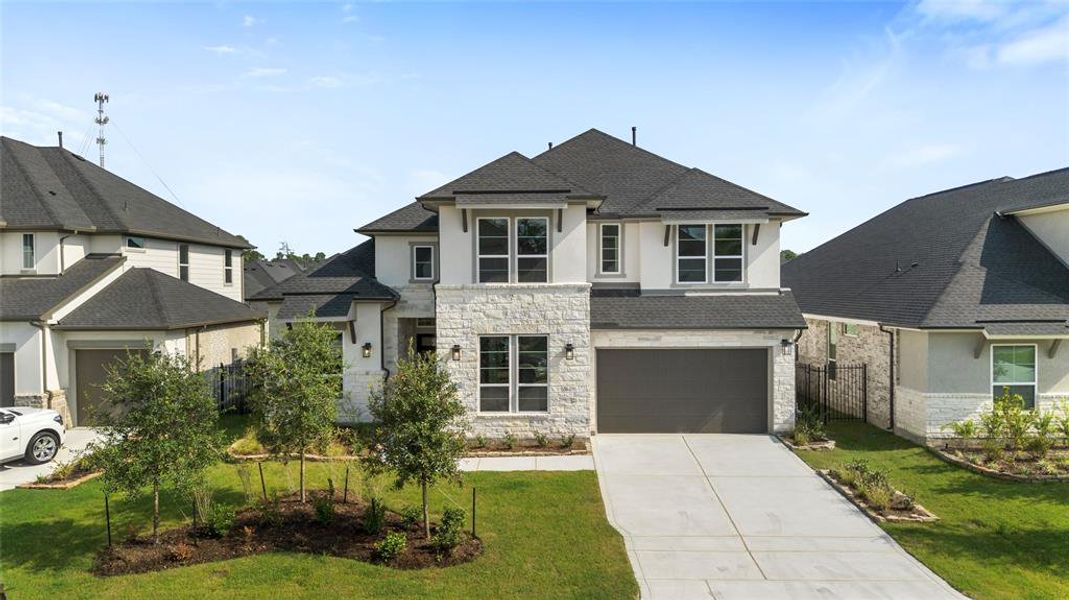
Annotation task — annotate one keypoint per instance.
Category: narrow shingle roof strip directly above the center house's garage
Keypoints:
(629, 311)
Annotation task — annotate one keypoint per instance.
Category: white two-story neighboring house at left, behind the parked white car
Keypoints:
(94, 267)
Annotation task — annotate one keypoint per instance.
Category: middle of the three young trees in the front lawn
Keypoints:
(297, 384)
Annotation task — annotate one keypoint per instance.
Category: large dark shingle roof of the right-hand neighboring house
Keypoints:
(959, 264)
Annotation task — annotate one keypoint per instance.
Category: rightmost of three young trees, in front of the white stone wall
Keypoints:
(420, 433)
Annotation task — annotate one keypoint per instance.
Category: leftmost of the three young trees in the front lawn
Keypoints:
(162, 427)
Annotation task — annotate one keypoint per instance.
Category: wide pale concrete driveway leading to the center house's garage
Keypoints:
(720, 516)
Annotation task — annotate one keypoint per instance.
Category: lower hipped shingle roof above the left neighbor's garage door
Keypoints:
(146, 299)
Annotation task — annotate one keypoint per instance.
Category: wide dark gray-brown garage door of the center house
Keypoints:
(683, 391)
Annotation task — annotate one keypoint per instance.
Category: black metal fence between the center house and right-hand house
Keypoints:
(838, 392)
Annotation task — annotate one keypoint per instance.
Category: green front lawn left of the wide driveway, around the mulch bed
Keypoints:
(546, 536)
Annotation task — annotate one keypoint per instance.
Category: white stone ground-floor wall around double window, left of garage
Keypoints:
(560, 311)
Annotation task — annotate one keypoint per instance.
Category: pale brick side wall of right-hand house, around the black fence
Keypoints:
(871, 347)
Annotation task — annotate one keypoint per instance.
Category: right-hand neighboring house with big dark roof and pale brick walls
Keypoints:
(949, 299)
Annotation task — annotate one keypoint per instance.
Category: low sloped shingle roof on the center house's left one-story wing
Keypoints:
(350, 273)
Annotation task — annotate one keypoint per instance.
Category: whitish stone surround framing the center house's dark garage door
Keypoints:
(782, 386)
